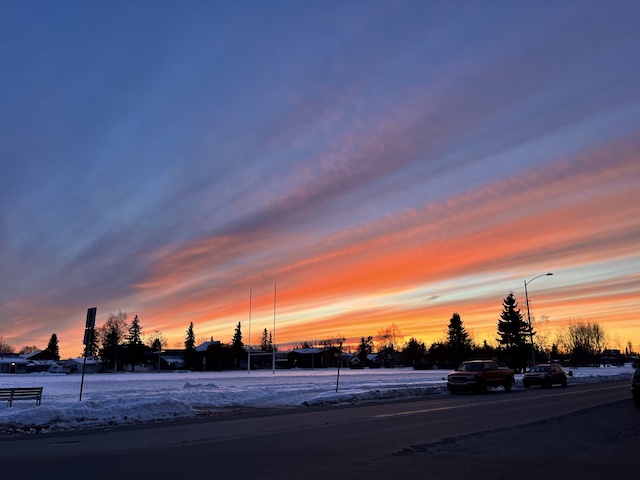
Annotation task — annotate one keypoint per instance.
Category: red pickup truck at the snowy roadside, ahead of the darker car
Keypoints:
(479, 374)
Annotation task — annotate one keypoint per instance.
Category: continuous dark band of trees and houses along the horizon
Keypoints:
(120, 346)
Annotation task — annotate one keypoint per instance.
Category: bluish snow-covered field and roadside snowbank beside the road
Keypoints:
(124, 398)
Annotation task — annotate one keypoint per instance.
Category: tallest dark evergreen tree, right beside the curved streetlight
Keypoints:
(513, 332)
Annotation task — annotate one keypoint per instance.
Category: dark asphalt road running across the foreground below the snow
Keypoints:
(586, 431)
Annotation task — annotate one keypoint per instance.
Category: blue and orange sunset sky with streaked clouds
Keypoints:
(381, 162)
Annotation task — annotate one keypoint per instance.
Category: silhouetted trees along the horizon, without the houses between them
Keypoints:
(119, 342)
